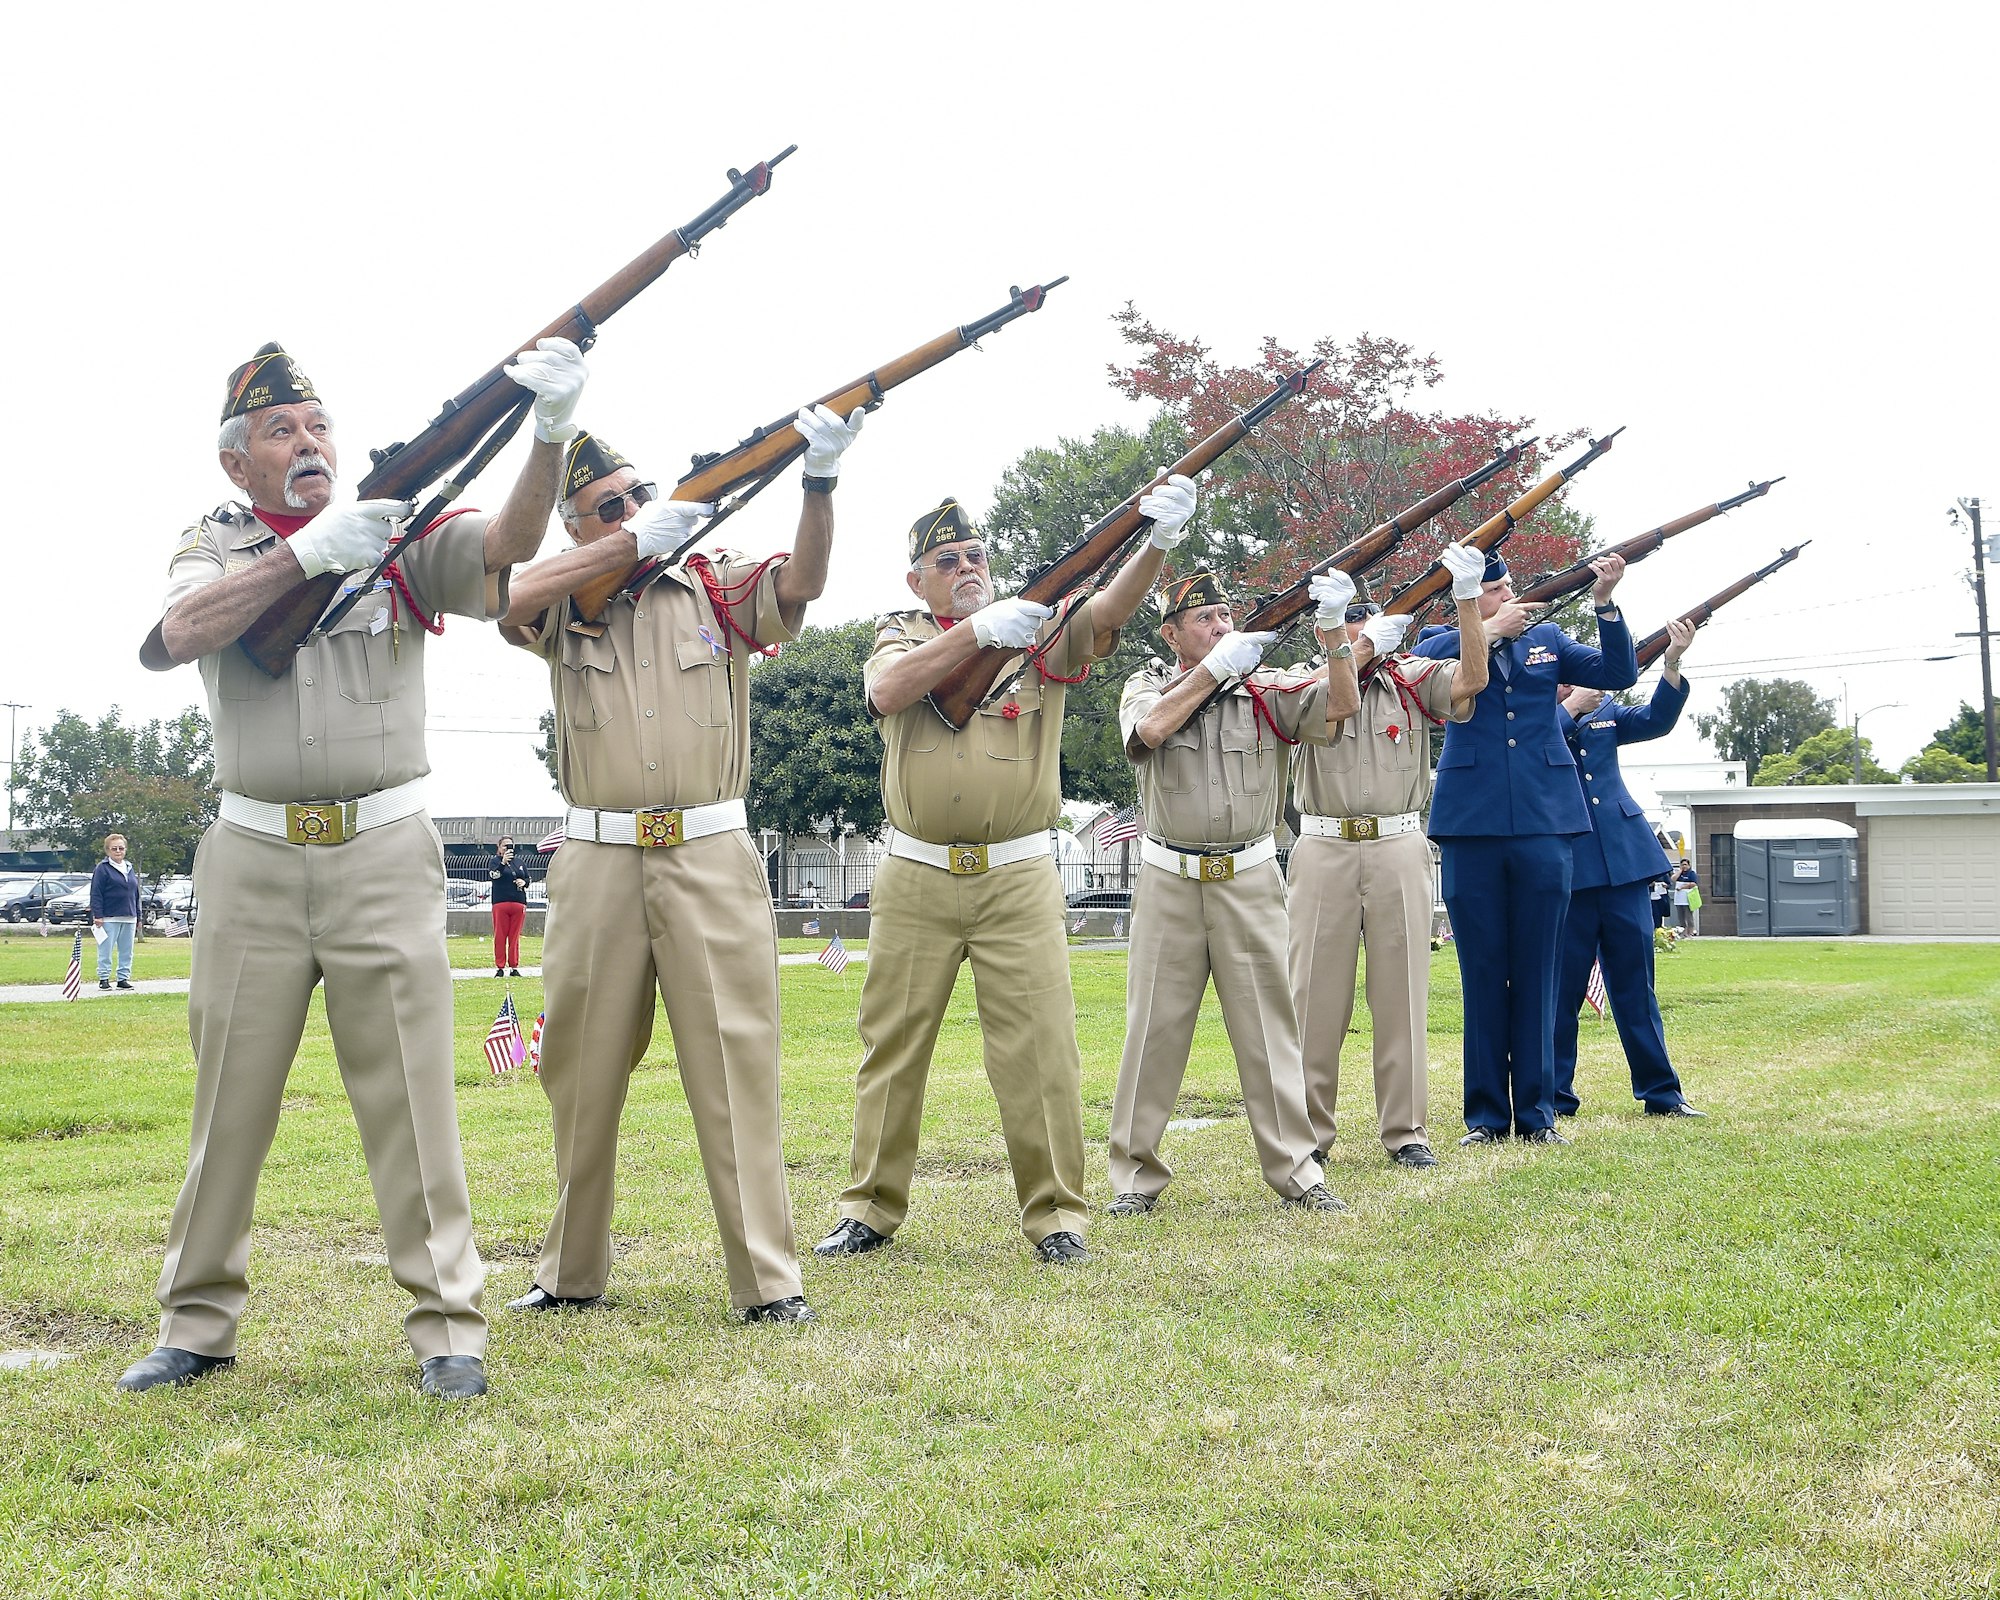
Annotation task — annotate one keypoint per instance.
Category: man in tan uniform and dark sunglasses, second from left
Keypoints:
(657, 887)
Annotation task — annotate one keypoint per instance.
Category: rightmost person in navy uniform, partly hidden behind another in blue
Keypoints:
(1611, 889)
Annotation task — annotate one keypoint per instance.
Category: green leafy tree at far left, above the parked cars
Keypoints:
(153, 783)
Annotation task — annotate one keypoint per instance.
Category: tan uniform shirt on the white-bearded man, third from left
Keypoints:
(1001, 775)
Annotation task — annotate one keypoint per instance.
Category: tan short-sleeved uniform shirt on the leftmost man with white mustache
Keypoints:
(349, 715)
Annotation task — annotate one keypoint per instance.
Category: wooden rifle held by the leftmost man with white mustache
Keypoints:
(403, 471)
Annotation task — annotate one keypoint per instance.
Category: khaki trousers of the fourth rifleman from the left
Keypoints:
(1183, 935)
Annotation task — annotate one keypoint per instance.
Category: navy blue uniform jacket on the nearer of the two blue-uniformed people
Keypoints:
(1509, 771)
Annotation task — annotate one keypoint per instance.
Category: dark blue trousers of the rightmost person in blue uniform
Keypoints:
(1615, 927)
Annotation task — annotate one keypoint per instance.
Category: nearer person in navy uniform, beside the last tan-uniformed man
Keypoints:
(1503, 811)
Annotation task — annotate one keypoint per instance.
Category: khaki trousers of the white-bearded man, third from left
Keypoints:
(925, 925)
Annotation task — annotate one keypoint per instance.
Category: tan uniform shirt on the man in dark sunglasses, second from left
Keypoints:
(653, 705)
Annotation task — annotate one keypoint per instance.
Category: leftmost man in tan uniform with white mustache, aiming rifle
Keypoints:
(325, 865)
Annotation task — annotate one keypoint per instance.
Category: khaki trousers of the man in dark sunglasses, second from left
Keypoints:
(691, 923)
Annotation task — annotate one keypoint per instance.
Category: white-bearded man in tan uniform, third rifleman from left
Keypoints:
(971, 875)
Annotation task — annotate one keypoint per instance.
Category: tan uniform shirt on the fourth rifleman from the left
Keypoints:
(1219, 777)
